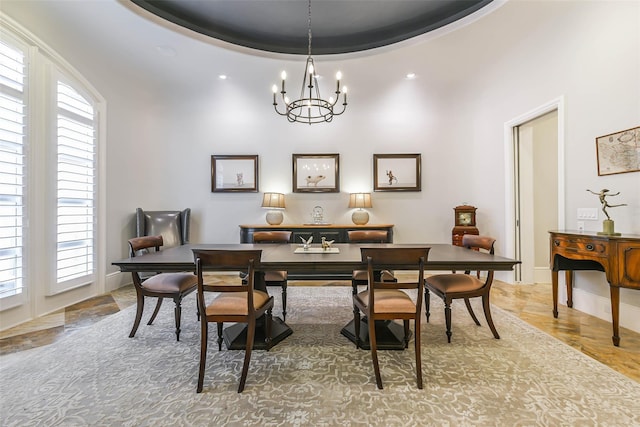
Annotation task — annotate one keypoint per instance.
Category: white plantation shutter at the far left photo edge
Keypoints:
(12, 169)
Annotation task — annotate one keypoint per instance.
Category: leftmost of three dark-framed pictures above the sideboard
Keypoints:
(234, 174)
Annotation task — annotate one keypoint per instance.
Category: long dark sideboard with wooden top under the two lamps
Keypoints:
(337, 232)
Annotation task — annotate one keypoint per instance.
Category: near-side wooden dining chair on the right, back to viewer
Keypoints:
(388, 300)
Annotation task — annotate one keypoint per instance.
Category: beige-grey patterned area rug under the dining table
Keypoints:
(315, 377)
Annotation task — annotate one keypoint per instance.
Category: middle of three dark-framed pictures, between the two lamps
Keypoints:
(316, 173)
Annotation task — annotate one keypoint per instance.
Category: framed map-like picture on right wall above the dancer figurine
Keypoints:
(619, 152)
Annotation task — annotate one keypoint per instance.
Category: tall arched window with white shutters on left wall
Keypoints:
(49, 179)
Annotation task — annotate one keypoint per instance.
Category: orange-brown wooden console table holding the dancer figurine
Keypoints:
(617, 256)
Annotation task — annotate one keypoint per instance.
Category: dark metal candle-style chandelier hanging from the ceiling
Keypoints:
(310, 107)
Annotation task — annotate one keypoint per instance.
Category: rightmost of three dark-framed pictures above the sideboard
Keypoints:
(396, 172)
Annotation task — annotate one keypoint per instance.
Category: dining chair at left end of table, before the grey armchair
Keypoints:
(160, 286)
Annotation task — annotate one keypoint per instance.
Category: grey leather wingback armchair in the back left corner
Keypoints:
(172, 225)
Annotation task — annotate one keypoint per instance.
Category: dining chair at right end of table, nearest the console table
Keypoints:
(454, 286)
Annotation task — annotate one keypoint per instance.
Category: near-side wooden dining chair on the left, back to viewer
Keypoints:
(231, 302)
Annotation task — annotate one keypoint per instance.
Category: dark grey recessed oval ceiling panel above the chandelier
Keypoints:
(338, 26)
